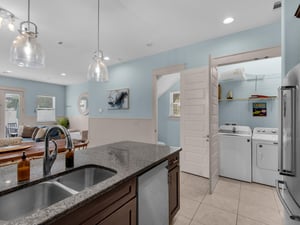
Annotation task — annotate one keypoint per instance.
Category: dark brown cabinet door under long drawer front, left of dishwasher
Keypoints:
(126, 215)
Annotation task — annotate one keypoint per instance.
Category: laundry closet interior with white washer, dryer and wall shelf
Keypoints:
(248, 120)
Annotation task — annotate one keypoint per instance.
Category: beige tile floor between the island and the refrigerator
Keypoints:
(232, 203)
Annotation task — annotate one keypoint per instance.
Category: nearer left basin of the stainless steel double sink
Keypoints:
(27, 200)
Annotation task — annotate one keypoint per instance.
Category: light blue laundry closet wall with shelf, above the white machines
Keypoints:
(248, 93)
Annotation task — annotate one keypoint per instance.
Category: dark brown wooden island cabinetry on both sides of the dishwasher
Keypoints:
(119, 205)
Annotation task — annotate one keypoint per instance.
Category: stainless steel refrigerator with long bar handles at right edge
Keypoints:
(288, 188)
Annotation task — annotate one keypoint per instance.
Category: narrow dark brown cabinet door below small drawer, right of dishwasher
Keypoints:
(174, 191)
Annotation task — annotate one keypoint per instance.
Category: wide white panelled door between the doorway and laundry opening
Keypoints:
(194, 121)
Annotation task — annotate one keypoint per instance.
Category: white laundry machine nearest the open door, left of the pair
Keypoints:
(235, 152)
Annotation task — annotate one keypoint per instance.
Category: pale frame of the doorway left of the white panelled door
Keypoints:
(155, 75)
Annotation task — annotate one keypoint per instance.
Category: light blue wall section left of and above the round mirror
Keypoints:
(72, 94)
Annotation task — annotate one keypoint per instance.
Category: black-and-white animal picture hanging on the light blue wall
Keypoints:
(118, 99)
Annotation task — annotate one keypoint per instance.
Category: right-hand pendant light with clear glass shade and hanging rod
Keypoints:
(97, 69)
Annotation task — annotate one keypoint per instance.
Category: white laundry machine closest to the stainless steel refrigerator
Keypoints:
(265, 155)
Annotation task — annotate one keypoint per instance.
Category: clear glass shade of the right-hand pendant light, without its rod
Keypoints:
(97, 69)
